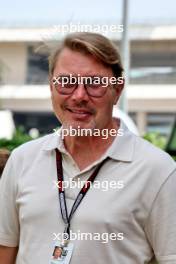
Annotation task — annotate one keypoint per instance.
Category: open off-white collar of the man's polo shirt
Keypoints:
(122, 148)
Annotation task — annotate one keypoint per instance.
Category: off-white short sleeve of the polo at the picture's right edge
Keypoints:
(161, 224)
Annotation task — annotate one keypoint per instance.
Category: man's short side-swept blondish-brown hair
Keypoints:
(100, 47)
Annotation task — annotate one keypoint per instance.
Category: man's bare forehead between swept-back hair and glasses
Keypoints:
(74, 62)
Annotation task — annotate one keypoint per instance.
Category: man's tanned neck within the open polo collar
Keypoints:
(87, 149)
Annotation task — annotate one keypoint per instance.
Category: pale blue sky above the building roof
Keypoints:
(40, 12)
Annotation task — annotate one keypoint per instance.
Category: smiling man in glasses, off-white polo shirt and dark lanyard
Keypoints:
(134, 220)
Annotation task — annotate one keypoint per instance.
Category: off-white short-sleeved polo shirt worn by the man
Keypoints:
(142, 208)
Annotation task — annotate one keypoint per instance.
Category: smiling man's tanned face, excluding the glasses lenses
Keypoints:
(79, 108)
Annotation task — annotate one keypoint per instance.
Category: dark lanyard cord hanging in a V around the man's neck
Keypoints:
(63, 206)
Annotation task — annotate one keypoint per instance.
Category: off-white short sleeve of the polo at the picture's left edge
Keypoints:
(9, 224)
